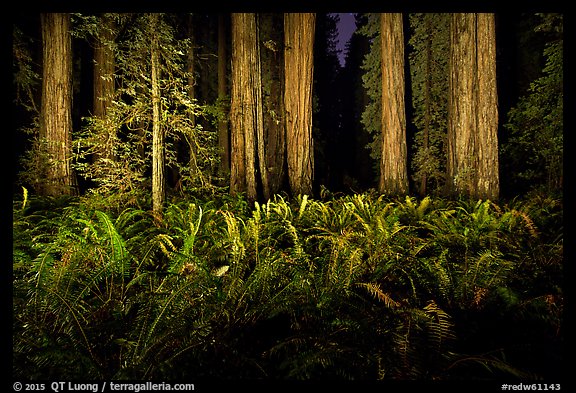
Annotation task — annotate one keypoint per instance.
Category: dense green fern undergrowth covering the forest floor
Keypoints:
(359, 287)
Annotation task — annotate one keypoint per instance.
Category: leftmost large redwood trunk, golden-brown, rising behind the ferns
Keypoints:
(56, 109)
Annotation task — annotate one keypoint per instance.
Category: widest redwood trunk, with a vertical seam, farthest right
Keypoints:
(472, 164)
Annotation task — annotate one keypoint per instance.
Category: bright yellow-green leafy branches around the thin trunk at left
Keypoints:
(190, 150)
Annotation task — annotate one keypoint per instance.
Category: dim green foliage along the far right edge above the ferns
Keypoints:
(536, 123)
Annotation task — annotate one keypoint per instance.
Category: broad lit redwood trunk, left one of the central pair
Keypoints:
(246, 109)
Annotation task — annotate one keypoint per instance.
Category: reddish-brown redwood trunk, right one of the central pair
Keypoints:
(298, 75)
